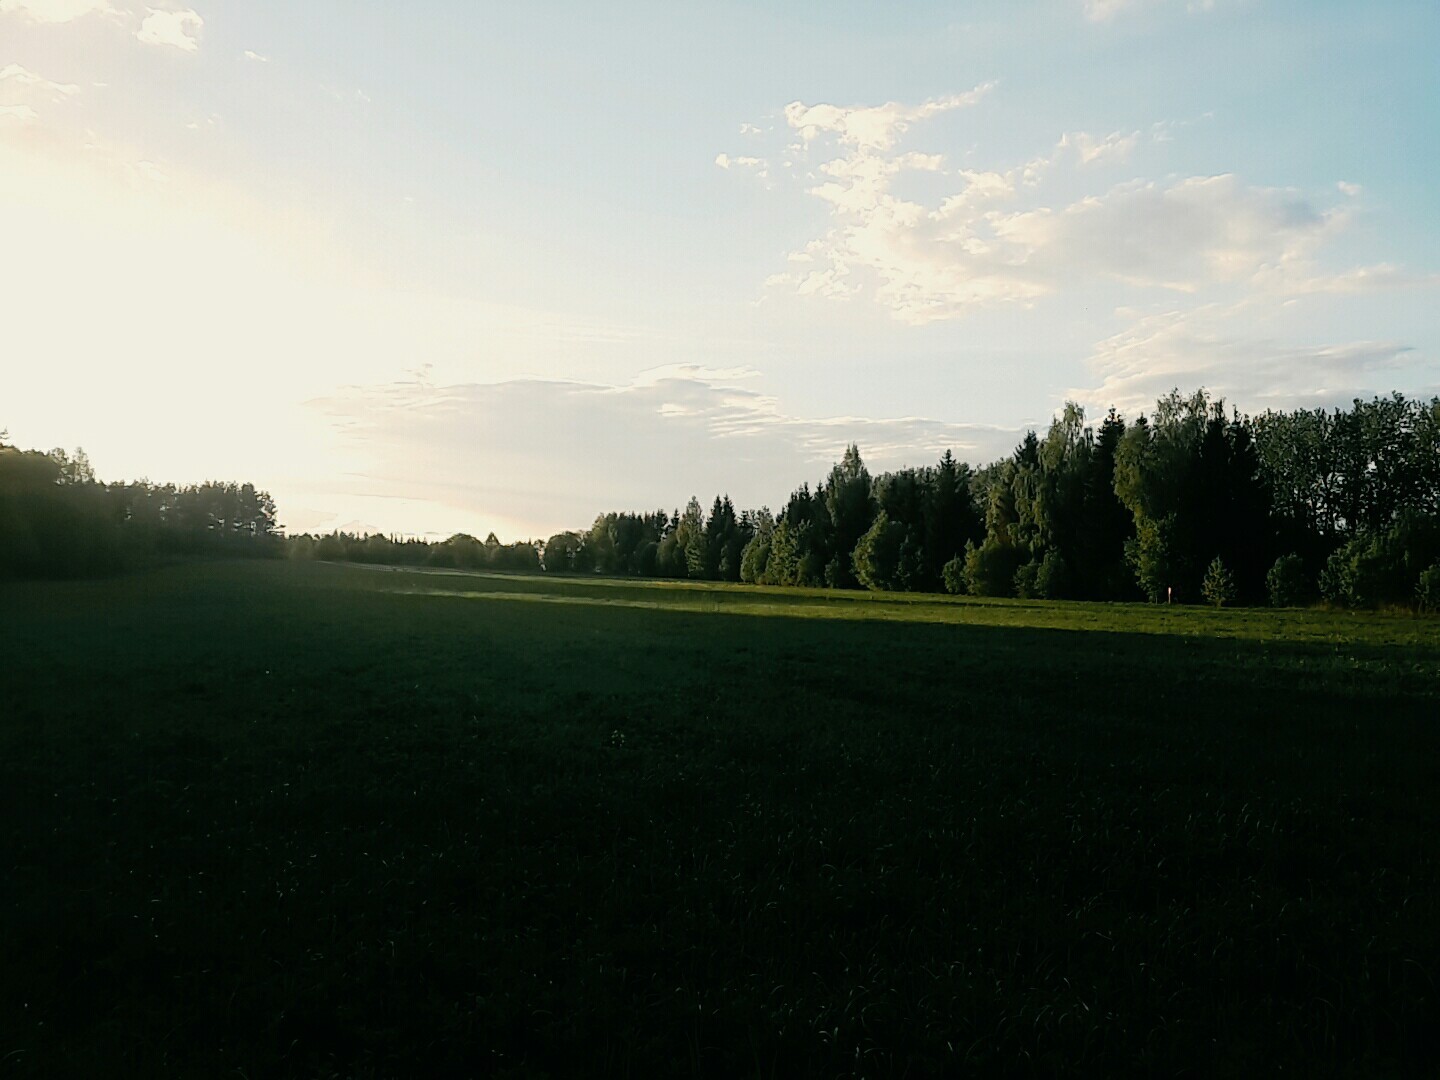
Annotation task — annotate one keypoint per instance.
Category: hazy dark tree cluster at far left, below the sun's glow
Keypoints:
(58, 521)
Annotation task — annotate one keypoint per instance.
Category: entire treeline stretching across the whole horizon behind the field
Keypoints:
(1187, 505)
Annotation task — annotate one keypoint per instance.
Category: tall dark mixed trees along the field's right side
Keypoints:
(1189, 503)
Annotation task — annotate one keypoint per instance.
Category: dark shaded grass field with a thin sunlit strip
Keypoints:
(305, 820)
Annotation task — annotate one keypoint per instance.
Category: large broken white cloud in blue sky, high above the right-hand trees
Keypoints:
(989, 243)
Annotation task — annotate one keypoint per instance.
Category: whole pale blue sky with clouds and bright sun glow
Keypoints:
(479, 267)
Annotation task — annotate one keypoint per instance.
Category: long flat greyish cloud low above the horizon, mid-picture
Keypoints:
(666, 436)
